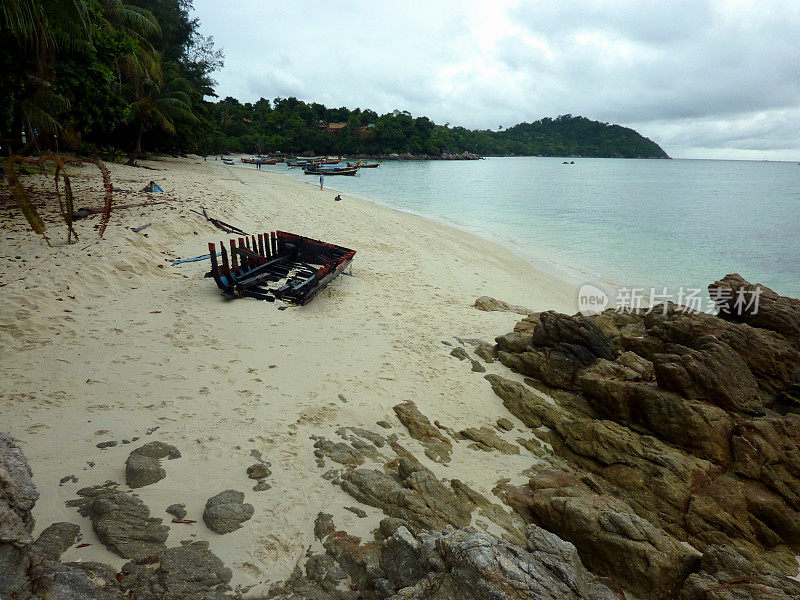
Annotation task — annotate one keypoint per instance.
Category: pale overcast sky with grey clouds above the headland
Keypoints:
(703, 78)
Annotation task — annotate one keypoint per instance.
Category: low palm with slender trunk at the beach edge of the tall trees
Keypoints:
(159, 105)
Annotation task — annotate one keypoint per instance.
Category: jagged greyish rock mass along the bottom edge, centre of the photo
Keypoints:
(454, 565)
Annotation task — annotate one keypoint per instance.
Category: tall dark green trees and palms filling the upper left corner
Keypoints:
(104, 74)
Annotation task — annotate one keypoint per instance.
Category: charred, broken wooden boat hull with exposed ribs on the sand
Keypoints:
(277, 266)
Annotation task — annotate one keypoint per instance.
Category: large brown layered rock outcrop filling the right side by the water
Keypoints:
(666, 427)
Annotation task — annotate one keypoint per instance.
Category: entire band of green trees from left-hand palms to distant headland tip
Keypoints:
(121, 77)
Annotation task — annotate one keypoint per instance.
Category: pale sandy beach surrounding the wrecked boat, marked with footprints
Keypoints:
(144, 344)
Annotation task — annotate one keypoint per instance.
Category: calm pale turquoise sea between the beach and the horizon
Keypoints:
(632, 223)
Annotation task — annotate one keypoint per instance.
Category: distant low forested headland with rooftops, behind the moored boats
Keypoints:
(291, 125)
